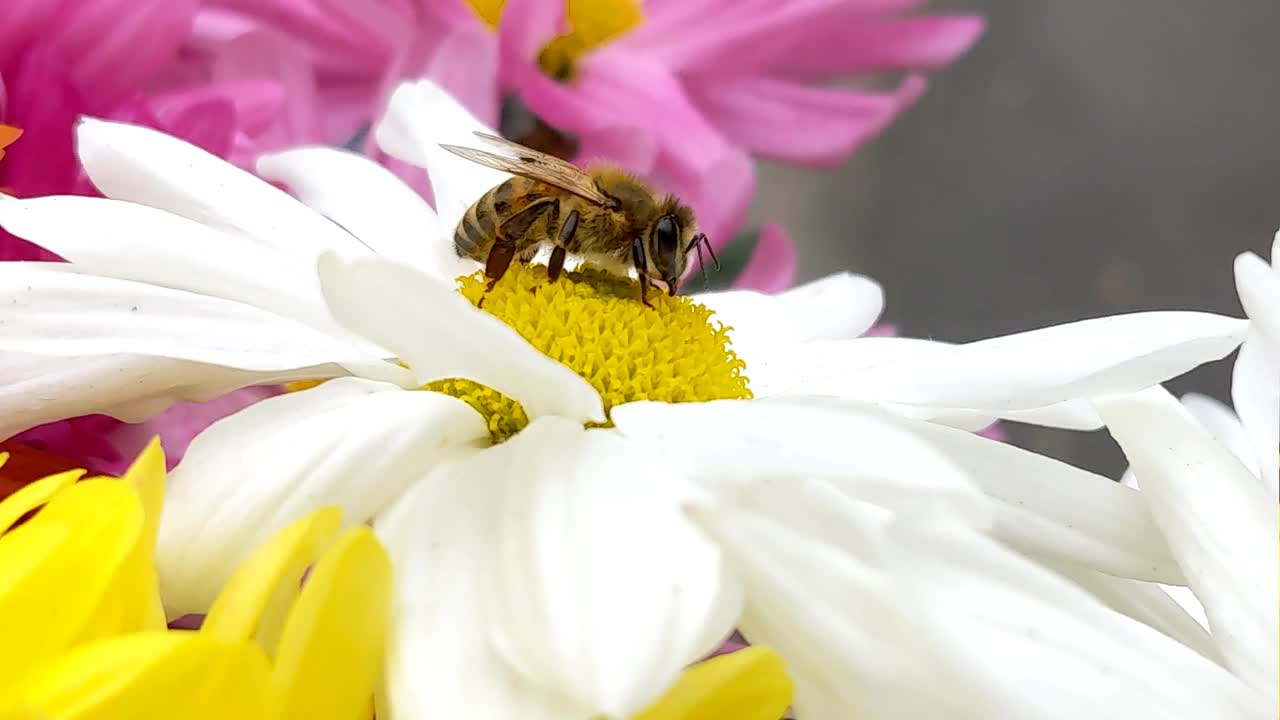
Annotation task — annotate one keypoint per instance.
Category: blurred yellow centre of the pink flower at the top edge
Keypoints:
(592, 25)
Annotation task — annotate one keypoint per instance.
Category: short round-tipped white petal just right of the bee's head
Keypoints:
(838, 307)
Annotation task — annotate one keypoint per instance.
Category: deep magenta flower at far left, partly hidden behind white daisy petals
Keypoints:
(61, 60)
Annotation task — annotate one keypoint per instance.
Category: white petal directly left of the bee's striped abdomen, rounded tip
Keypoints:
(367, 199)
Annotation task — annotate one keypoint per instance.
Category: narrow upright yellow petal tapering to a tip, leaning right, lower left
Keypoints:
(260, 593)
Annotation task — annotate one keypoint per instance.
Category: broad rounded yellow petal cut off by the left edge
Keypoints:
(56, 571)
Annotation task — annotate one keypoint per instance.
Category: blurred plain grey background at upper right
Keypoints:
(1086, 158)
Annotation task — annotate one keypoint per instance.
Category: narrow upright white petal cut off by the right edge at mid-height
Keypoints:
(1256, 395)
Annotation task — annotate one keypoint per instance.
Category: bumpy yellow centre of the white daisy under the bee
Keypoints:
(595, 323)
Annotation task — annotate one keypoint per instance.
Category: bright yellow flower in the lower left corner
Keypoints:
(85, 635)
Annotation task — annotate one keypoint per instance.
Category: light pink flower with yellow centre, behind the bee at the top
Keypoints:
(683, 92)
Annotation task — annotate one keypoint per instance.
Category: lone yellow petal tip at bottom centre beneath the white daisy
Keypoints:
(748, 685)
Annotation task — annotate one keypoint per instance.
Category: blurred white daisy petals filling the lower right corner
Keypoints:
(924, 618)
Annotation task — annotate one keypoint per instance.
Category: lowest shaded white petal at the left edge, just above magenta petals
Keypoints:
(127, 388)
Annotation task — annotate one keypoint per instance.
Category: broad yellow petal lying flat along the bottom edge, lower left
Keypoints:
(173, 675)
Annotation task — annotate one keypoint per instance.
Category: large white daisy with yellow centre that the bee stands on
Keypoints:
(522, 564)
